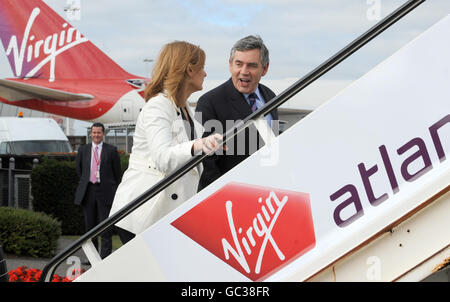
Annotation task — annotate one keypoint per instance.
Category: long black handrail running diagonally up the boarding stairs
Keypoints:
(268, 107)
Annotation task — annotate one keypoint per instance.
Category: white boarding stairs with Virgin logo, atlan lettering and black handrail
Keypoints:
(356, 191)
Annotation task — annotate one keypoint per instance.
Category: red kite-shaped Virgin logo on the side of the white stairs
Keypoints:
(256, 230)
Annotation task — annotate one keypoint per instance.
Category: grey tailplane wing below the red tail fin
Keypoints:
(17, 91)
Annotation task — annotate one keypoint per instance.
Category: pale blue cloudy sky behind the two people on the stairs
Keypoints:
(300, 34)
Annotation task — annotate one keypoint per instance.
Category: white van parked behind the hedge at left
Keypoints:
(31, 135)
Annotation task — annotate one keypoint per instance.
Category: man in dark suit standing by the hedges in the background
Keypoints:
(98, 166)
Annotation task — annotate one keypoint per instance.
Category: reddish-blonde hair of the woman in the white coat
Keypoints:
(171, 67)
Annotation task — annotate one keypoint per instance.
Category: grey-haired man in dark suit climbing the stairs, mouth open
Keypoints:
(232, 101)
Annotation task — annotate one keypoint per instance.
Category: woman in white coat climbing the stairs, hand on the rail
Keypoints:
(165, 138)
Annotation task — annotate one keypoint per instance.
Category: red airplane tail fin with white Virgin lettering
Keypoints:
(41, 44)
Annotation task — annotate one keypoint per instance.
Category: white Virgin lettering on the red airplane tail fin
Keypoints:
(33, 49)
